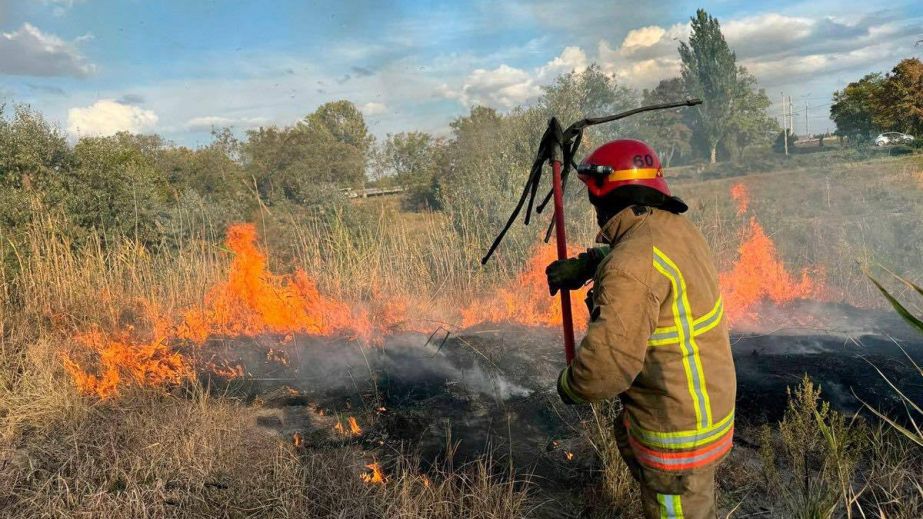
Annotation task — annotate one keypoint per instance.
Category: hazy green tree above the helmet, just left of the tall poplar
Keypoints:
(666, 130)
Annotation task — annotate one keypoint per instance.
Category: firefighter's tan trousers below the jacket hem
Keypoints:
(689, 495)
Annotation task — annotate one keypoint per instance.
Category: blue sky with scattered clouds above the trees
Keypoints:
(179, 68)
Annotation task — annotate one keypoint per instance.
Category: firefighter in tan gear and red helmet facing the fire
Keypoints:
(657, 335)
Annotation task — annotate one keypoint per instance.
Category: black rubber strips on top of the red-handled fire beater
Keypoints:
(564, 143)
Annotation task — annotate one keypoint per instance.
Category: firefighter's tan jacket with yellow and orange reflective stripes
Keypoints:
(658, 338)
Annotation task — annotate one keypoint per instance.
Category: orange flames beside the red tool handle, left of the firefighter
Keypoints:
(526, 300)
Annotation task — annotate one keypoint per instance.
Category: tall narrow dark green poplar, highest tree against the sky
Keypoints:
(709, 71)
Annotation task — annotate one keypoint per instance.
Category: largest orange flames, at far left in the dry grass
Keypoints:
(249, 302)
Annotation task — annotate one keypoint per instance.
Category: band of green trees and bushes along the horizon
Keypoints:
(145, 187)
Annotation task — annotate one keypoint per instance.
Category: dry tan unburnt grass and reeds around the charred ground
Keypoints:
(147, 454)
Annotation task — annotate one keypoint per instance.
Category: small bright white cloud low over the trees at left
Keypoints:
(107, 117)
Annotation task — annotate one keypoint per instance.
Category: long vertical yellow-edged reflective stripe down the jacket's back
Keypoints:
(692, 363)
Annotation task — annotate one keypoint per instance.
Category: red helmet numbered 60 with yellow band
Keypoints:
(624, 162)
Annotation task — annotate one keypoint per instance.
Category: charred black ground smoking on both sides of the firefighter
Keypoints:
(492, 388)
